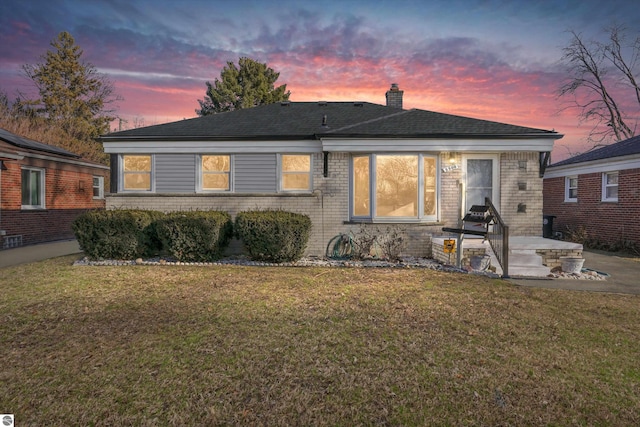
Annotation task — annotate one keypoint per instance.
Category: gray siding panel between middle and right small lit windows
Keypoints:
(255, 173)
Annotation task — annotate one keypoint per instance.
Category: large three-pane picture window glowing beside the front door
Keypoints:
(394, 186)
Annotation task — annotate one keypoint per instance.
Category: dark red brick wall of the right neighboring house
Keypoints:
(608, 222)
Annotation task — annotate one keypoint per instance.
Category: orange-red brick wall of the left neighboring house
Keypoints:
(65, 199)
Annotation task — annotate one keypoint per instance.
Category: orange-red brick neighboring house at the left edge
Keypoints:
(43, 188)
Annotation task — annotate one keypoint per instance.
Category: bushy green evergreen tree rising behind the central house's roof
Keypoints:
(247, 85)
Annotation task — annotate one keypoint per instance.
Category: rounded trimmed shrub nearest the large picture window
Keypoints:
(273, 235)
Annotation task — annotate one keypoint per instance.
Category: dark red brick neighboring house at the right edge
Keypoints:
(597, 193)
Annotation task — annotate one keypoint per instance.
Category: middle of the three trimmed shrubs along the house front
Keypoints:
(195, 236)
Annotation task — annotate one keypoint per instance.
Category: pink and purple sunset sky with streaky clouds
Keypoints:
(494, 60)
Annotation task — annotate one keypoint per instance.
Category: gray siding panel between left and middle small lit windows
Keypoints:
(175, 173)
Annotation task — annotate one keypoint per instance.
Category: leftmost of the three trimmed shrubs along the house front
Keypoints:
(116, 234)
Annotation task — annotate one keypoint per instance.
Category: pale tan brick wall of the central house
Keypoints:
(328, 205)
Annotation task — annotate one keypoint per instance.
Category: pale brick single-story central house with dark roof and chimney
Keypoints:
(345, 164)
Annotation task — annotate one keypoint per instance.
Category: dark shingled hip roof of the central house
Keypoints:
(311, 120)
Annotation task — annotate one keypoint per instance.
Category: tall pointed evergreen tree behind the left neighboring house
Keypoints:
(72, 93)
